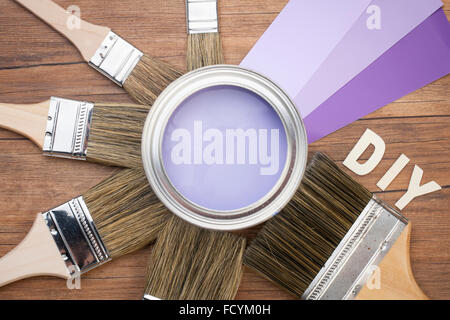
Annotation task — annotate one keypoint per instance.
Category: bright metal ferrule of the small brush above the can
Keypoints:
(202, 16)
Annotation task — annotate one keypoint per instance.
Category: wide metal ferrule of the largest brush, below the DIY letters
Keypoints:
(353, 261)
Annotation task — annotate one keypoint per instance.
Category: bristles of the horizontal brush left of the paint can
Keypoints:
(115, 134)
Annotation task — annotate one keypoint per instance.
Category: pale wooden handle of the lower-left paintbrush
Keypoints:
(36, 255)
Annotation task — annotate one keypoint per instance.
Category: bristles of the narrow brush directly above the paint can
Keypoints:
(204, 49)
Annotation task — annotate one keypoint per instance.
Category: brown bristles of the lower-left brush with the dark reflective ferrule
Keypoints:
(126, 212)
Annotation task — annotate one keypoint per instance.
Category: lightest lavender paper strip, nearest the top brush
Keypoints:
(301, 38)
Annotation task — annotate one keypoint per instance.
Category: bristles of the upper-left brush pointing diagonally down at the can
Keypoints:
(149, 78)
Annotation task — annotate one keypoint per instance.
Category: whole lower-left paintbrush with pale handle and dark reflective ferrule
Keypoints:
(116, 217)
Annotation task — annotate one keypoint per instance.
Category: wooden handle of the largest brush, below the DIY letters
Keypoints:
(397, 280)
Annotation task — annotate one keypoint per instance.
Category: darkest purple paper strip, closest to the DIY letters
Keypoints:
(421, 57)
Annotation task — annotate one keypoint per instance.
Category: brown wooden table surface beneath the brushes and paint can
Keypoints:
(36, 62)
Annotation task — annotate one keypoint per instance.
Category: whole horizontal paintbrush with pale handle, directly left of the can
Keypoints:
(103, 132)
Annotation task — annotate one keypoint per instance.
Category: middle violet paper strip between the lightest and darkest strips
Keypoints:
(383, 24)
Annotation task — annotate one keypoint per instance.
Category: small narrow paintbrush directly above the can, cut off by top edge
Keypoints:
(204, 47)
